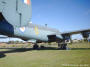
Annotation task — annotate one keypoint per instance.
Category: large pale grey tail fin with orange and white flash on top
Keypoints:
(17, 12)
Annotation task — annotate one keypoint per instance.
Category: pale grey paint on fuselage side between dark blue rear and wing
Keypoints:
(30, 33)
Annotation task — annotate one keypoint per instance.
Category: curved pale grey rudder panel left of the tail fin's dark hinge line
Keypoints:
(10, 14)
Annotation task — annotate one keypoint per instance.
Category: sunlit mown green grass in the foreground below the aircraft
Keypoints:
(44, 58)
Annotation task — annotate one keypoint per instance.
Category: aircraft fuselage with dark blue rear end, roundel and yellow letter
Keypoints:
(29, 32)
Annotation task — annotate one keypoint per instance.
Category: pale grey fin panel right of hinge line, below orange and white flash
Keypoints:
(24, 11)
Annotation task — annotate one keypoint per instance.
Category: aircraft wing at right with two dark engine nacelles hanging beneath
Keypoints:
(85, 33)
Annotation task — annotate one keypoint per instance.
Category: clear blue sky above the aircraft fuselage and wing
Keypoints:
(64, 15)
